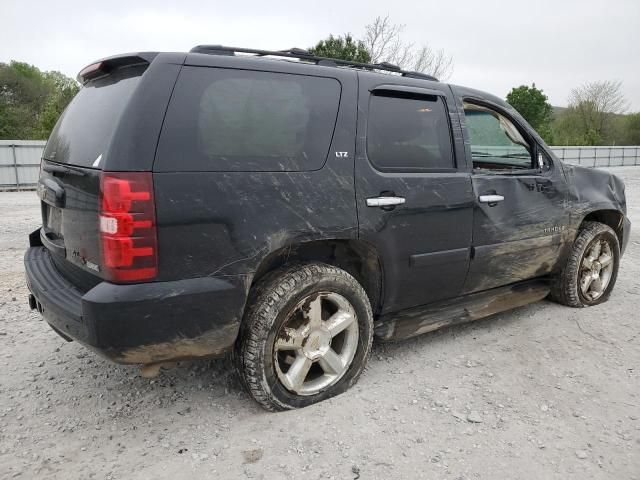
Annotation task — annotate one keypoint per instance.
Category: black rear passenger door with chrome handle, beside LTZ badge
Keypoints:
(414, 198)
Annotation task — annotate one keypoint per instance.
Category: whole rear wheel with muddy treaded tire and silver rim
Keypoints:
(306, 336)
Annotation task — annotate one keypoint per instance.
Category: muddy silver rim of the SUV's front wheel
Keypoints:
(596, 269)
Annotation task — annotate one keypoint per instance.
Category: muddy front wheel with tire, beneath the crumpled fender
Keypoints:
(591, 269)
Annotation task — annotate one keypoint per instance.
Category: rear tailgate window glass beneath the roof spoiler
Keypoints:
(85, 128)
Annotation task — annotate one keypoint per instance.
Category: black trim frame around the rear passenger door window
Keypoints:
(395, 91)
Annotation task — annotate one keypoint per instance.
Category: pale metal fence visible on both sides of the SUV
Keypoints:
(20, 160)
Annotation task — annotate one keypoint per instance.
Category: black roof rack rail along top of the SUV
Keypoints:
(302, 54)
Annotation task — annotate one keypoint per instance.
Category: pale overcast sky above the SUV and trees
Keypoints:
(495, 44)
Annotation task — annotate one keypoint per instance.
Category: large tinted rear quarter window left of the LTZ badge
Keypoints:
(242, 120)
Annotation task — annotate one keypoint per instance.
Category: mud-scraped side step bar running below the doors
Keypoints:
(427, 318)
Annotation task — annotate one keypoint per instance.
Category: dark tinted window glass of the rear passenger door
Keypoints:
(408, 133)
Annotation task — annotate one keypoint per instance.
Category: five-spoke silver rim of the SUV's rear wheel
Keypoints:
(316, 343)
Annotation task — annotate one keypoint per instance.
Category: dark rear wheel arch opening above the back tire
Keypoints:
(357, 257)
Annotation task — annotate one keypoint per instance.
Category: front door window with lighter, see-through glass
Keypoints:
(496, 143)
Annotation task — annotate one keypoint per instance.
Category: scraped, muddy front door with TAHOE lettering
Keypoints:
(520, 217)
